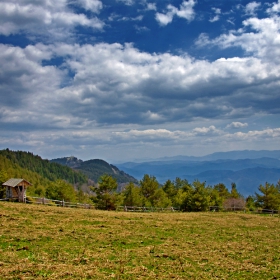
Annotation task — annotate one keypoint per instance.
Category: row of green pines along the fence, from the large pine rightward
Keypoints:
(182, 195)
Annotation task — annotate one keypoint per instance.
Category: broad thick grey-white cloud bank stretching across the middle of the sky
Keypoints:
(114, 83)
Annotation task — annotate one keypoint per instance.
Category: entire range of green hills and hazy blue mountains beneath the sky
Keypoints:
(247, 169)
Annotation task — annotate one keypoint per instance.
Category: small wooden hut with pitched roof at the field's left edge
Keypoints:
(16, 189)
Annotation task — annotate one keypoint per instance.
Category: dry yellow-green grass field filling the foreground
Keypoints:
(44, 242)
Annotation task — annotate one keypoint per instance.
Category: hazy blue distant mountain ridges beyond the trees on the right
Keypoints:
(248, 169)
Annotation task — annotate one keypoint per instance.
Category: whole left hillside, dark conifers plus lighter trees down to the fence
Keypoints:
(41, 173)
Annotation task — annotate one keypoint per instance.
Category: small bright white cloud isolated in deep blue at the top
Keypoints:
(185, 11)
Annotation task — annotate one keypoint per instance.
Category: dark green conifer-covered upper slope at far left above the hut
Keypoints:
(49, 170)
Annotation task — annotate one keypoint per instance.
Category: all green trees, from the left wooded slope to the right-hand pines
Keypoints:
(55, 181)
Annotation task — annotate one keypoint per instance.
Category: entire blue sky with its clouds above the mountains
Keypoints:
(134, 79)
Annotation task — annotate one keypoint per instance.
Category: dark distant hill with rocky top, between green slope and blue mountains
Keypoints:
(95, 168)
